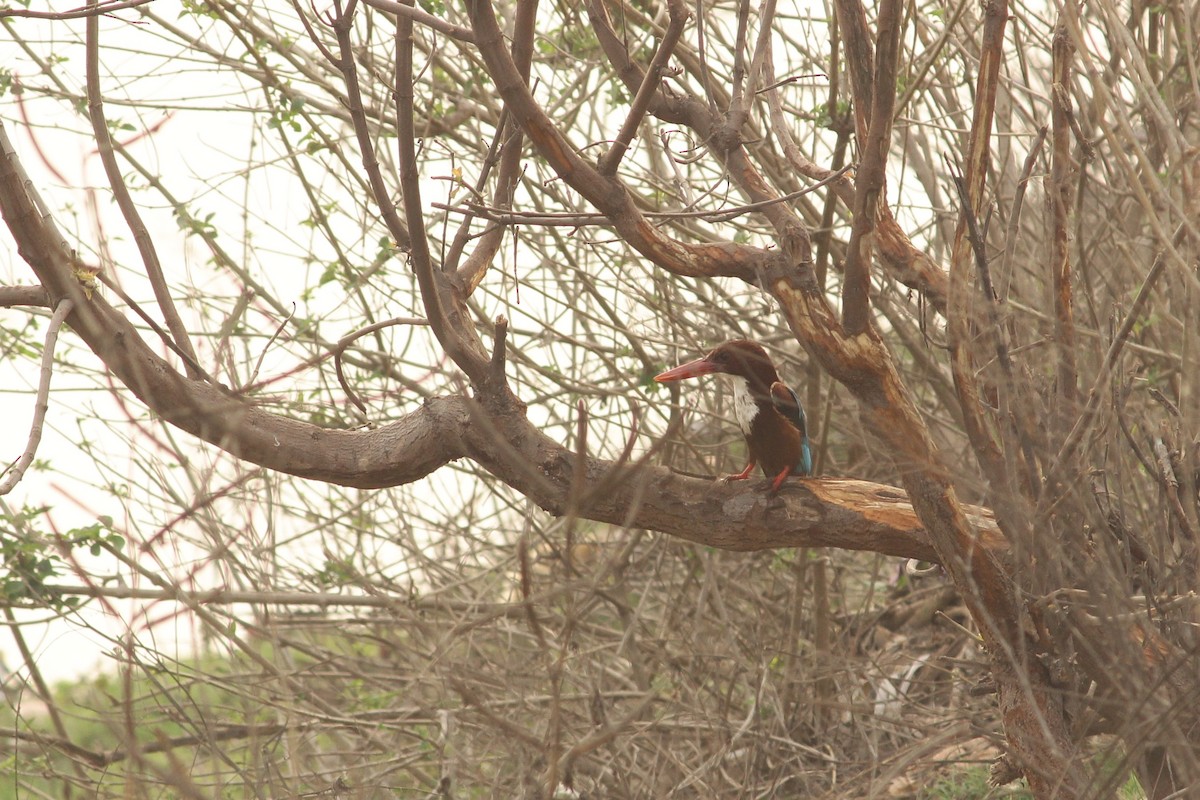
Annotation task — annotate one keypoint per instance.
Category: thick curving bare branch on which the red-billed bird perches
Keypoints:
(495, 434)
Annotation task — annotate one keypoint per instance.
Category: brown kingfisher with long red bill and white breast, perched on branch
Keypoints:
(770, 413)
